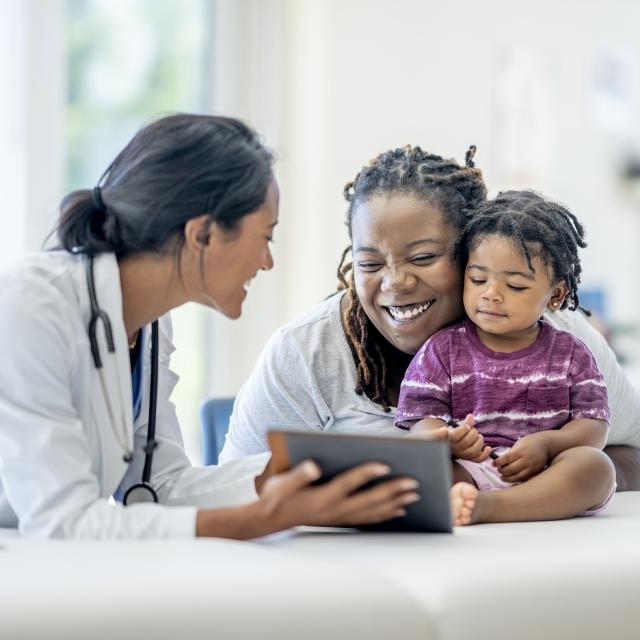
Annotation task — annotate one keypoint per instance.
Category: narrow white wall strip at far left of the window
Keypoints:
(31, 122)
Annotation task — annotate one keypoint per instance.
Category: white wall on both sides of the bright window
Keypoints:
(330, 83)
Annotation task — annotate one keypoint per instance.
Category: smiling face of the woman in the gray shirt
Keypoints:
(405, 277)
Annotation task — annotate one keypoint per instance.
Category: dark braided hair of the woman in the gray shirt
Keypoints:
(454, 189)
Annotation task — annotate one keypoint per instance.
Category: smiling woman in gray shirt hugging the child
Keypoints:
(339, 367)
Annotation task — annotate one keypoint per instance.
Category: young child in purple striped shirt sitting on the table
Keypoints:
(525, 403)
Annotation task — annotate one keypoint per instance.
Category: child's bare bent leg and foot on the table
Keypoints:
(577, 479)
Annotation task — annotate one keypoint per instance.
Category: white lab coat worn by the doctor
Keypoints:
(60, 459)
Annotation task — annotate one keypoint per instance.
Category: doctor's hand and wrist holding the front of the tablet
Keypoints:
(287, 500)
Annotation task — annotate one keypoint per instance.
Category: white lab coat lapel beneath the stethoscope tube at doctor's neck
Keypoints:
(117, 374)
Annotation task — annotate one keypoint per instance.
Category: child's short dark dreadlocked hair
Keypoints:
(527, 217)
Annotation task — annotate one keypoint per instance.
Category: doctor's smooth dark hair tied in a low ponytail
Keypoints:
(174, 169)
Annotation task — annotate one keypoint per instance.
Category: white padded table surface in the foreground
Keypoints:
(578, 578)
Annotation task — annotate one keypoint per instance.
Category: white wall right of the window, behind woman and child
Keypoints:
(355, 77)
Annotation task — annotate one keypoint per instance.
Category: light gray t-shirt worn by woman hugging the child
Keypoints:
(305, 378)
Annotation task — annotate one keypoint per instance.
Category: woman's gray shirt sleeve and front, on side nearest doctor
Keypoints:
(304, 381)
